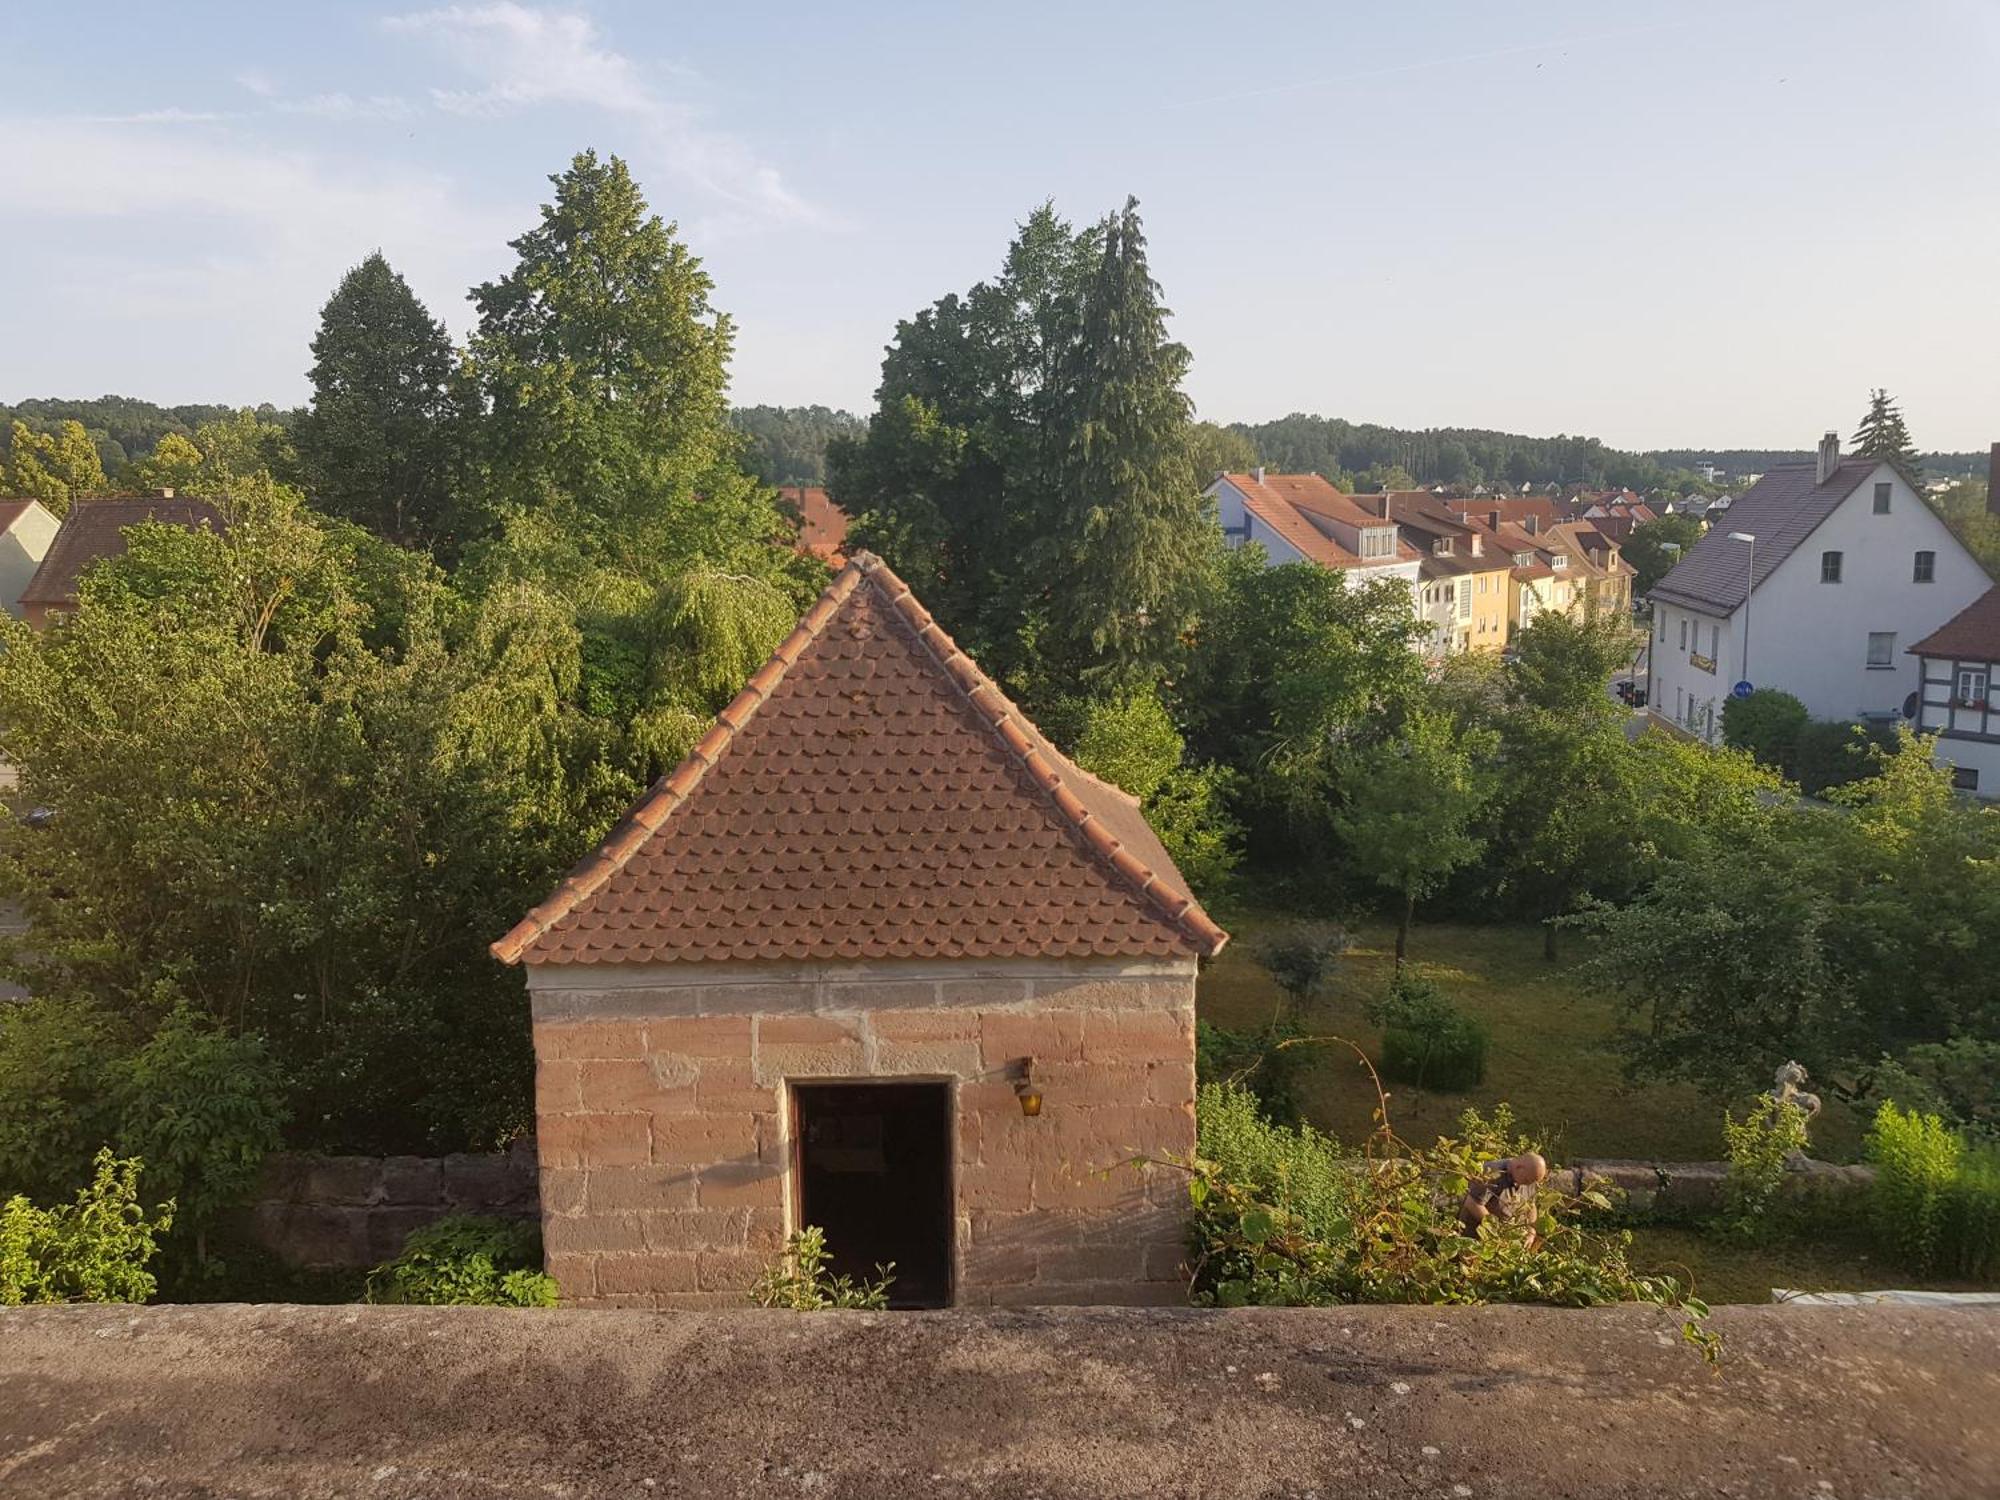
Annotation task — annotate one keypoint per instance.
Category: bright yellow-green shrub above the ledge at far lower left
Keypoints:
(91, 1251)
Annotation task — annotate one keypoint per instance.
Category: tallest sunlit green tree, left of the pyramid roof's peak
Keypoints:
(603, 369)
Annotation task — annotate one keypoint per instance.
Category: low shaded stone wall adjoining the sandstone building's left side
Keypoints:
(355, 1211)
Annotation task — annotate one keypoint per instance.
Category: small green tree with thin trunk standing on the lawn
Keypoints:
(1411, 809)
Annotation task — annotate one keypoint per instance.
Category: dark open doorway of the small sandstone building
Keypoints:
(875, 1171)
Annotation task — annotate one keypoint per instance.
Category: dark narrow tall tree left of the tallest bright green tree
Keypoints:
(377, 445)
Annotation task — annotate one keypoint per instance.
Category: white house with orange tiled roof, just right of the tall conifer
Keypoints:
(1305, 519)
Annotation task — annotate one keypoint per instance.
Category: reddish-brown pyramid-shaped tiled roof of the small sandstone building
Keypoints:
(871, 795)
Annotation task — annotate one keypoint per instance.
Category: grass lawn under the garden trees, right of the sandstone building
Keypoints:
(1551, 1055)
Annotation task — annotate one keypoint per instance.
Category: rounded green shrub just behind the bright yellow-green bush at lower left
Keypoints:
(203, 1109)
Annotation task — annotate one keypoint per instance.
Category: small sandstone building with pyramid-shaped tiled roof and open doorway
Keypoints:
(877, 959)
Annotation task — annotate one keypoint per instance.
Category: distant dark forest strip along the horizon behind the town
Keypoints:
(787, 445)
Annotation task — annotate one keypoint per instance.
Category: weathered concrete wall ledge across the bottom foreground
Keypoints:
(187, 1401)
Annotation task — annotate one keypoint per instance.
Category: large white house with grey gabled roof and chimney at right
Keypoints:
(1851, 569)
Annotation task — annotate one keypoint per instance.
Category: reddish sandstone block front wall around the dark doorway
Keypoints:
(665, 1119)
